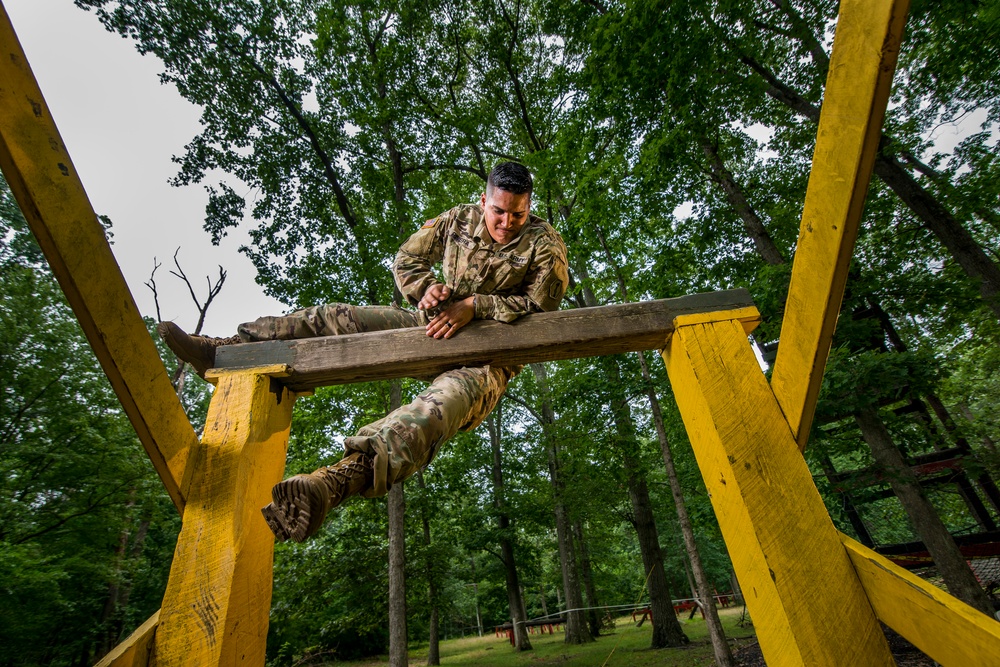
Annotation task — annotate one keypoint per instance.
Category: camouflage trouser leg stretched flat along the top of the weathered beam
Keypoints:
(335, 319)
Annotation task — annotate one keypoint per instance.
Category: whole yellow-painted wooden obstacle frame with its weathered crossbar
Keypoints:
(816, 596)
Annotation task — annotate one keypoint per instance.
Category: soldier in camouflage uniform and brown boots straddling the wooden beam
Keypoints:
(497, 262)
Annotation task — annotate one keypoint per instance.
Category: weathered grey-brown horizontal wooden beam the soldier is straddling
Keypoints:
(564, 334)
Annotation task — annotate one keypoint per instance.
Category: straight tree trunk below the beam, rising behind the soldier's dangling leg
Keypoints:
(397, 561)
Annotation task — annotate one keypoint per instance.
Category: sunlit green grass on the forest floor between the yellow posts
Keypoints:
(626, 646)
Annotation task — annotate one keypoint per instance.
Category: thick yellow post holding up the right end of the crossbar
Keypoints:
(805, 599)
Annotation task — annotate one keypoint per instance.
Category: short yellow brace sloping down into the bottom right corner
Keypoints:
(949, 631)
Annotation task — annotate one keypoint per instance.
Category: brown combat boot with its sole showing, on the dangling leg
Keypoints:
(302, 502)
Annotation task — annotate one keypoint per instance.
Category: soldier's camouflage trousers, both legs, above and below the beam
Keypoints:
(408, 438)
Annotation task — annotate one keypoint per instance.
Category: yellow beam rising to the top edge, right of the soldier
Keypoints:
(862, 63)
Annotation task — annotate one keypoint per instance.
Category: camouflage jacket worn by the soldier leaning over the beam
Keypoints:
(527, 275)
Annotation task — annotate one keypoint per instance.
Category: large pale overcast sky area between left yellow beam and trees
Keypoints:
(121, 127)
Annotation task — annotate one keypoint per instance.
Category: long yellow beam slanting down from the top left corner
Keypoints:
(49, 192)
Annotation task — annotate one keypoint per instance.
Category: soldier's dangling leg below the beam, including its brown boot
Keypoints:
(389, 450)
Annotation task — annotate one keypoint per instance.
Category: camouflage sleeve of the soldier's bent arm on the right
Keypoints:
(544, 286)
